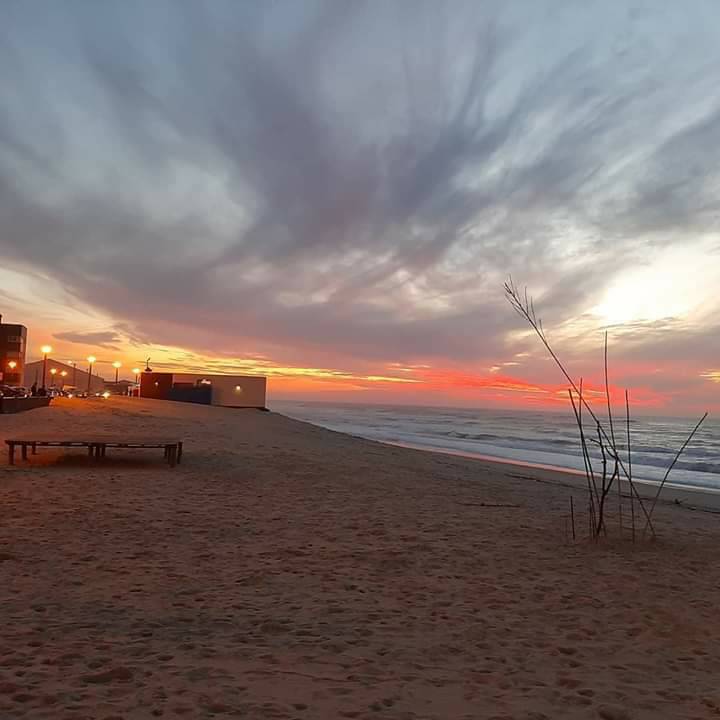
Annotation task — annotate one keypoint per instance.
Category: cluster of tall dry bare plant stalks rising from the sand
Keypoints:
(606, 441)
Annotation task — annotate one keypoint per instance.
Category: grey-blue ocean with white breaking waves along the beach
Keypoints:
(546, 439)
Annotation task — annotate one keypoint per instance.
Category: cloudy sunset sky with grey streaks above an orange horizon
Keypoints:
(332, 194)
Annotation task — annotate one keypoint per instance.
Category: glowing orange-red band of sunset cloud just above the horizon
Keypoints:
(416, 383)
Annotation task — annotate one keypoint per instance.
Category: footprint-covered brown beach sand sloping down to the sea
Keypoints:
(286, 571)
